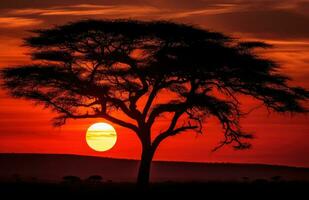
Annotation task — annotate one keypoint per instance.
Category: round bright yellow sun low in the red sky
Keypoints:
(101, 136)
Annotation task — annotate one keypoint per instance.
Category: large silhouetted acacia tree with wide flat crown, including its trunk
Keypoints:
(146, 70)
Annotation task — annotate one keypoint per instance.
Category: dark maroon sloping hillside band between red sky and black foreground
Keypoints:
(53, 167)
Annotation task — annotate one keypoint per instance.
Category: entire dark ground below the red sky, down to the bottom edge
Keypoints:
(54, 176)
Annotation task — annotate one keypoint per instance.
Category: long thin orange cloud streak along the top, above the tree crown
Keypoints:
(125, 11)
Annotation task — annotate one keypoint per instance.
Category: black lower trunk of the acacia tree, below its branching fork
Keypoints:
(144, 168)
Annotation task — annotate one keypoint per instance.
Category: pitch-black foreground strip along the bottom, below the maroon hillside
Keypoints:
(240, 190)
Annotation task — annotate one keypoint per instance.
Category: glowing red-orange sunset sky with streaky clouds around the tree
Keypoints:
(279, 139)
